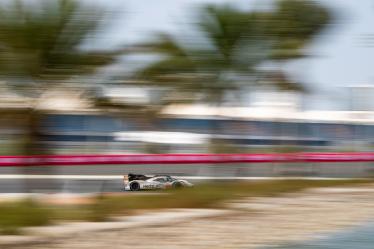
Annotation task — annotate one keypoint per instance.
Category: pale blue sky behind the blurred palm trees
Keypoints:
(340, 58)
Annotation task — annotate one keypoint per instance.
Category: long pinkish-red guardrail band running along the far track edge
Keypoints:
(72, 160)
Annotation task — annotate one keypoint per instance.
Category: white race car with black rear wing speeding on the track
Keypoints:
(134, 182)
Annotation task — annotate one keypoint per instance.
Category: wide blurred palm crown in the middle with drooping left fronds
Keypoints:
(228, 47)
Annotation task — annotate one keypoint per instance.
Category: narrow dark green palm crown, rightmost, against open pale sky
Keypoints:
(292, 26)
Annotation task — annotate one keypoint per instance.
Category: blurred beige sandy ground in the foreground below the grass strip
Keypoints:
(252, 223)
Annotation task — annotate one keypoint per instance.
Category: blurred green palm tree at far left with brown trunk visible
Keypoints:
(41, 48)
